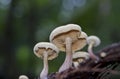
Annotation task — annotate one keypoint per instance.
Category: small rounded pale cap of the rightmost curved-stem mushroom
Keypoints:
(93, 39)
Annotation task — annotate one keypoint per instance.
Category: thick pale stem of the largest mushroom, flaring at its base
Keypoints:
(68, 60)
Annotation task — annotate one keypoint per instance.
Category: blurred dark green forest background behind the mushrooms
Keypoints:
(23, 23)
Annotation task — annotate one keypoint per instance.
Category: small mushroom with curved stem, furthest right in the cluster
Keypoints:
(93, 41)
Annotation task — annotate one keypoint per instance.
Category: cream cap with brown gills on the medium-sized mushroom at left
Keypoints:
(50, 48)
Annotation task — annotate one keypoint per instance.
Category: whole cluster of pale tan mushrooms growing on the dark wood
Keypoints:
(70, 39)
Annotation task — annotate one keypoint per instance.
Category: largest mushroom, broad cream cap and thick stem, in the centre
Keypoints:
(67, 38)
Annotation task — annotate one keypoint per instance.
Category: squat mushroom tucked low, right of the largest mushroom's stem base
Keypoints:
(80, 57)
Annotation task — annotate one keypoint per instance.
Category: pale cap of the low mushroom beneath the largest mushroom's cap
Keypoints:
(81, 54)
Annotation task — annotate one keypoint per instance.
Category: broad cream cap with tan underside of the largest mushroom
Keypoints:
(59, 34)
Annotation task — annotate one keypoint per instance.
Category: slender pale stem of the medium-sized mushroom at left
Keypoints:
(44, 73)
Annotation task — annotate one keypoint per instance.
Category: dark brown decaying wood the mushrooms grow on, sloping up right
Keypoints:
(109, 60)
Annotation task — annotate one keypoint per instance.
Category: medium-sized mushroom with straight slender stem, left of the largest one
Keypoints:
(46, 51)
